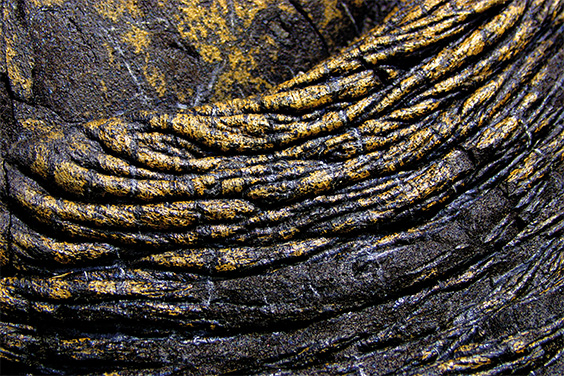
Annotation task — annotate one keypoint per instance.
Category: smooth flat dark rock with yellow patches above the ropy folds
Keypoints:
(86, 59)
